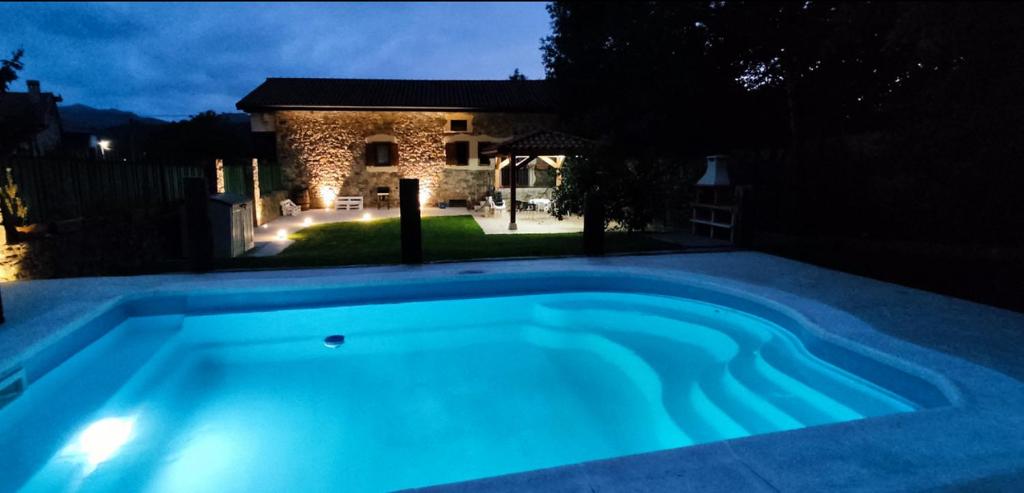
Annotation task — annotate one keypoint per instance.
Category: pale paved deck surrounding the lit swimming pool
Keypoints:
(974, 444)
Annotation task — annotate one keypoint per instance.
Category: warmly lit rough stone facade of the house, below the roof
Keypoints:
(325, 152)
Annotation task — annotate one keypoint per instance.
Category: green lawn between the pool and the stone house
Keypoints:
(446, 238)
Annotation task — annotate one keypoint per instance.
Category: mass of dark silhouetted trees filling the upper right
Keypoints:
(856, 118)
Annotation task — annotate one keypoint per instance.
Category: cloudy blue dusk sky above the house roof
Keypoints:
(173, 61)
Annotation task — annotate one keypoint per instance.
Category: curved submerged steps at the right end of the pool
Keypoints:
(723, 401)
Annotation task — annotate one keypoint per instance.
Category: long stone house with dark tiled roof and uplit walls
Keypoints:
(351, 137)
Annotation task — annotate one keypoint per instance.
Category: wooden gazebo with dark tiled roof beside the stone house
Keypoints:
(548, 146)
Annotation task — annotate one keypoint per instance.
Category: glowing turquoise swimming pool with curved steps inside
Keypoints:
(436, 383)
